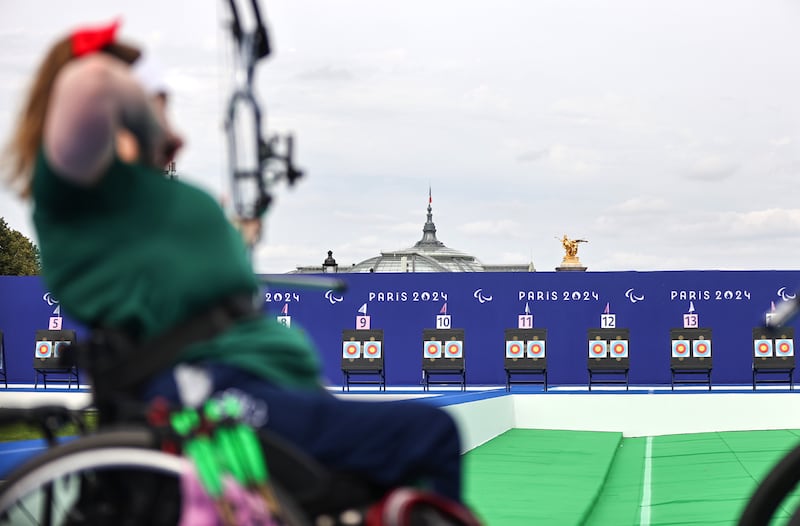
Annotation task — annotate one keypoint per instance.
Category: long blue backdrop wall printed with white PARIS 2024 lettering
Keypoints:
(731, 303)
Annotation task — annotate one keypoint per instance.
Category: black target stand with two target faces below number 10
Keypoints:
(443, 355)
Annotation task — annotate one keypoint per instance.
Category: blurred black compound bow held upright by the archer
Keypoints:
(256, 163)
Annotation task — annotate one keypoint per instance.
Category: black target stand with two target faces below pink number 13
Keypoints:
(690, 362)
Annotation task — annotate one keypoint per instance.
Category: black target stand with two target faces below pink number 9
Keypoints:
(362, 355)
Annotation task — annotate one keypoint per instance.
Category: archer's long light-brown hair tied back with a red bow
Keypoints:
(26, 139)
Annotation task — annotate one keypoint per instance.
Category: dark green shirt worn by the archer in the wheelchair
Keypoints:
(142, 252)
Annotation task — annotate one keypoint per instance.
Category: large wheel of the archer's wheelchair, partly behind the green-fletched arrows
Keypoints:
(114, 478)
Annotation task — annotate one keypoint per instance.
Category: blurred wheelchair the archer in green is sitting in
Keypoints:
(122, 474)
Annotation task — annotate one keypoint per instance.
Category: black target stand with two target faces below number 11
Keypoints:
(525, 355)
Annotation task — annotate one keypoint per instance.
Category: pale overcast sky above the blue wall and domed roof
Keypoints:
(665, 132)
